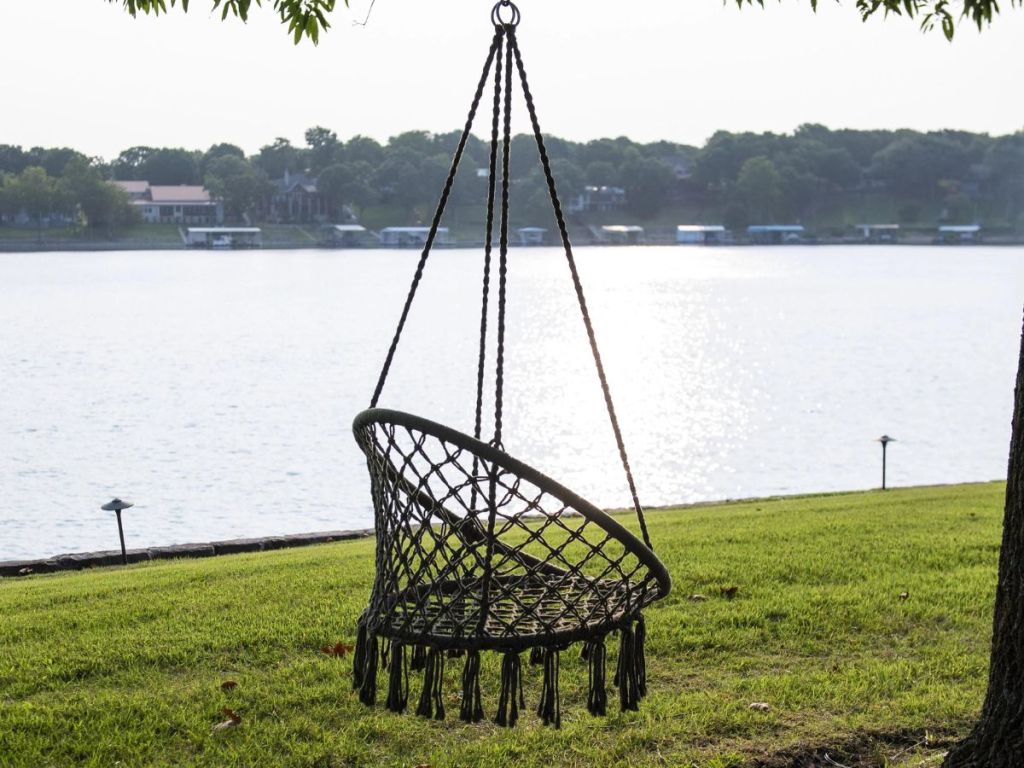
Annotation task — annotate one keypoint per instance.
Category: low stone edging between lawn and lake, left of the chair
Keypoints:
(78, 562)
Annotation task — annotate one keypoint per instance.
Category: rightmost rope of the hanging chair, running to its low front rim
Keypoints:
(564, 233)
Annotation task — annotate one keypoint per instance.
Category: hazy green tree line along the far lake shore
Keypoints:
(816, 176)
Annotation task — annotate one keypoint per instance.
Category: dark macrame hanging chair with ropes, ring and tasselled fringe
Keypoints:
(478, 551)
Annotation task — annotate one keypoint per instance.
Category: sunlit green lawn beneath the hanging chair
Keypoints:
(124, 667)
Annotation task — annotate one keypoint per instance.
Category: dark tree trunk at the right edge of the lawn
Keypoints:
(998, 740)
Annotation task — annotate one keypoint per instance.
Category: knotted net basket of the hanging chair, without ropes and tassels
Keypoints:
(477, 550)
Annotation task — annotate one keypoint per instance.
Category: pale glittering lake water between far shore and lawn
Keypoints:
(217, 391)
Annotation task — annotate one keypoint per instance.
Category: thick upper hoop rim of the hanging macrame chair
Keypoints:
(491, 454)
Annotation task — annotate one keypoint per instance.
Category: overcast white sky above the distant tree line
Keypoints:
(82, 73)
